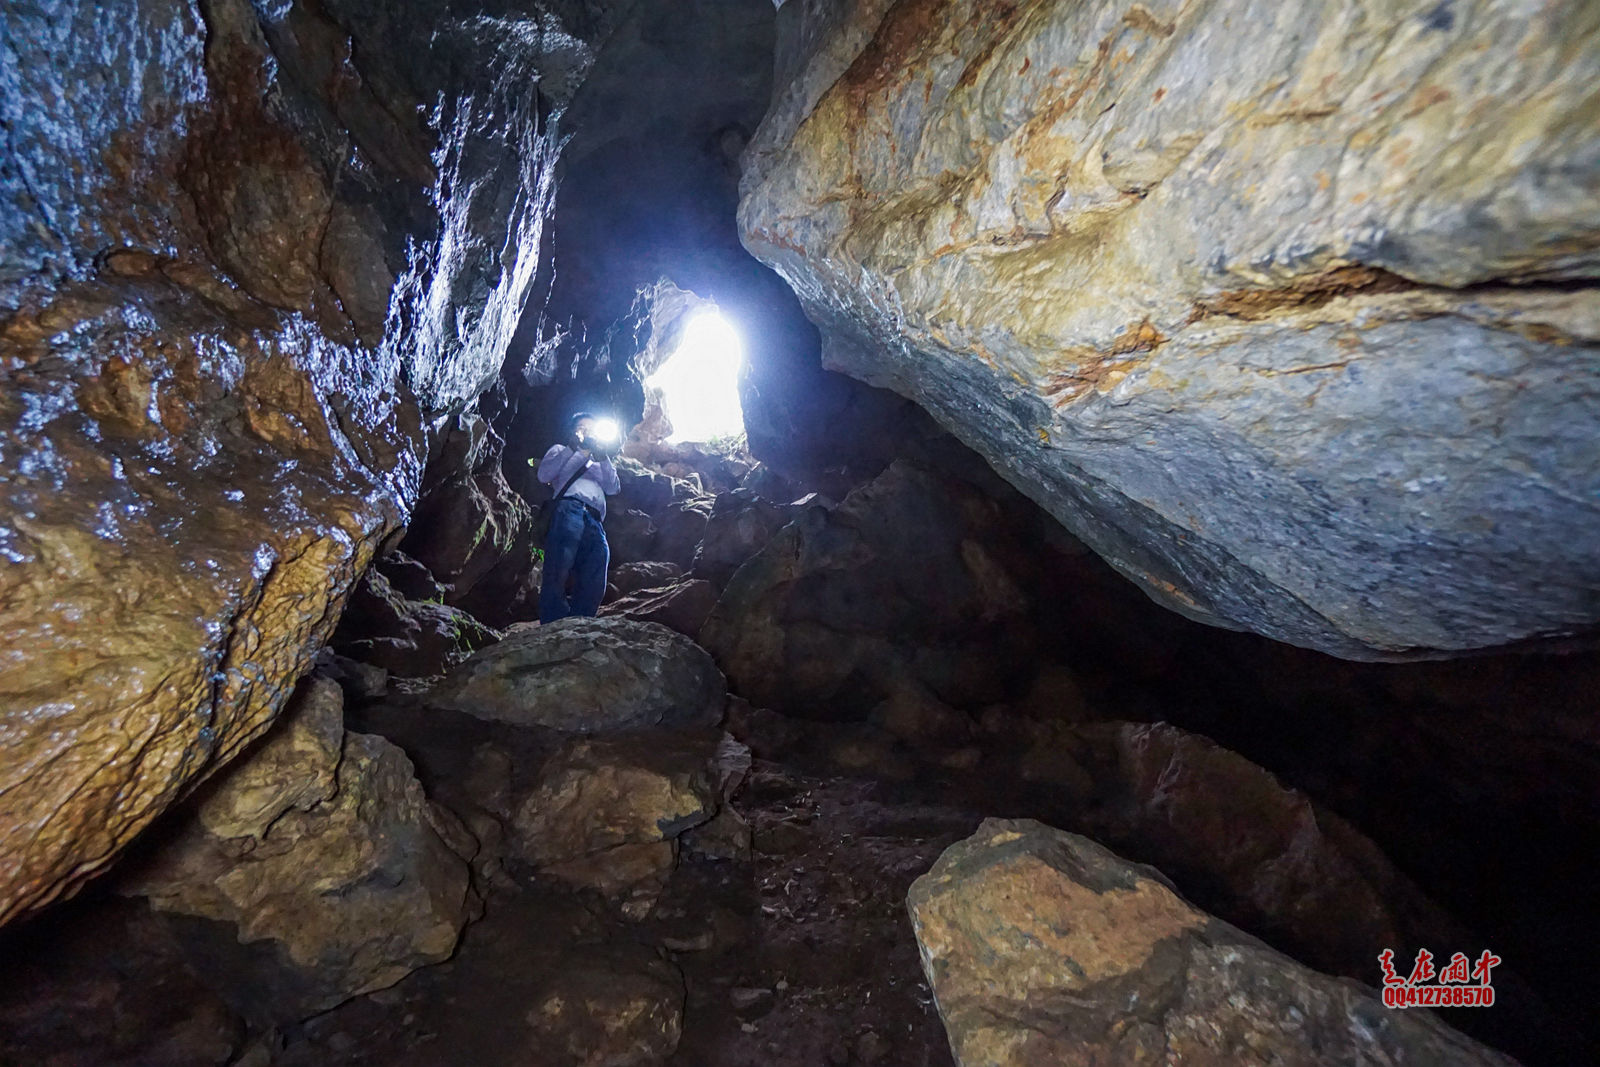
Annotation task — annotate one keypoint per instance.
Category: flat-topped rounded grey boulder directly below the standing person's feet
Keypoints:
(590, 676)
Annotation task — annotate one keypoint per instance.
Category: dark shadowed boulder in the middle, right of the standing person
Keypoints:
(913, 578)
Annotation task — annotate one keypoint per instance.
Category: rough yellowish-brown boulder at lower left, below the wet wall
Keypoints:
(329, 869)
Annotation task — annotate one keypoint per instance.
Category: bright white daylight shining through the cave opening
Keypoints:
(700, 382)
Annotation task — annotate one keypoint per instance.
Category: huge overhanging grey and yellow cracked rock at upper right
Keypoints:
(1284, 311)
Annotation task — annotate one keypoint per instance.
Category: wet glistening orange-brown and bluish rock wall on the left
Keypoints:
(212, 412)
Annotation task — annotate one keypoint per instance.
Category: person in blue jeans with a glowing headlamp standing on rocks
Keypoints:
(582, 474)
